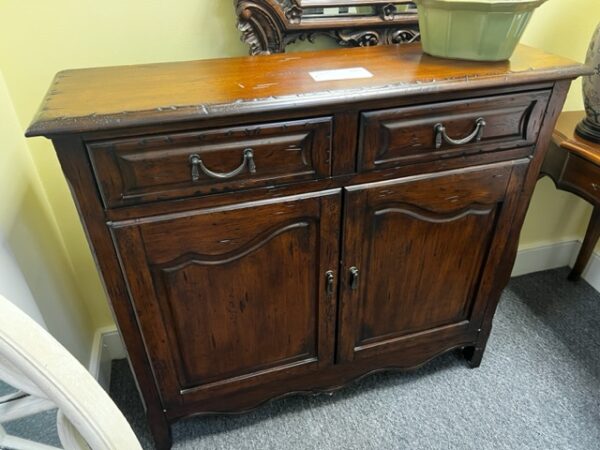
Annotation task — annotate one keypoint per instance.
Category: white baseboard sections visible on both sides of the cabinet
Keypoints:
(108, 345)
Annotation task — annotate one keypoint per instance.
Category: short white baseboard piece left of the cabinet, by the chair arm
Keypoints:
(107, 346)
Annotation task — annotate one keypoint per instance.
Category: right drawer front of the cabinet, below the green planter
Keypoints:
(401, 136)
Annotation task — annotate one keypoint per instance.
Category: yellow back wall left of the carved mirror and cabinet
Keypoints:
(37, 39)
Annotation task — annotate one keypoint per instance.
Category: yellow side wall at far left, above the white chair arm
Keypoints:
(30, 238)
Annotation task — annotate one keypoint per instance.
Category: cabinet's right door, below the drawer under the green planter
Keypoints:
(415, 252)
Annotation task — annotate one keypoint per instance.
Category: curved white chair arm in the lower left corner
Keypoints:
(59, 377)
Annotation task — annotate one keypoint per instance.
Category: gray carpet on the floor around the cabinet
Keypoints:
(538, 388)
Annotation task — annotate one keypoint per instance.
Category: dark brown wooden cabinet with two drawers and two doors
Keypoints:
(260, 233)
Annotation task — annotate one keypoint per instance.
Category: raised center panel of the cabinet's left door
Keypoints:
(239, 313)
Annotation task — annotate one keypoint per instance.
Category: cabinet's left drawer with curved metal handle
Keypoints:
(157, 167)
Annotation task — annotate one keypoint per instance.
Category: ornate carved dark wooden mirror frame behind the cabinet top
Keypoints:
(268, 26)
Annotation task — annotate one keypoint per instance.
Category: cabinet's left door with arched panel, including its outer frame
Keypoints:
(234, 296)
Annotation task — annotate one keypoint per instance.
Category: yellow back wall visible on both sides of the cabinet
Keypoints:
(37, 39)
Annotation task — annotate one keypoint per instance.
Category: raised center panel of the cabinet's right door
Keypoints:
(422, 269)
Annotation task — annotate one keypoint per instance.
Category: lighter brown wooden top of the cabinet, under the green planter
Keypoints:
(85, 100)
